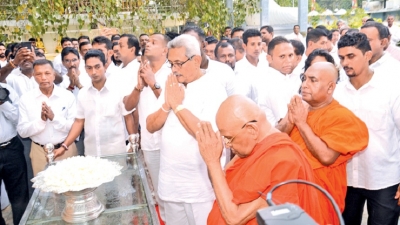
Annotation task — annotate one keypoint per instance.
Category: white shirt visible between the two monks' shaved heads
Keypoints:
(276, 93)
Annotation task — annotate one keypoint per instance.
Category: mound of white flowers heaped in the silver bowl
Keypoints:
(76, 173)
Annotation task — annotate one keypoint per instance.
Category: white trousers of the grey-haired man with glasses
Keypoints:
(179, 213)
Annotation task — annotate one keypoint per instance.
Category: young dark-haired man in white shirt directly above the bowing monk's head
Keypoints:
(251, 67)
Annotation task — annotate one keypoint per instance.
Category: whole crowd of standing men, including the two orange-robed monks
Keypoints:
(221, 121)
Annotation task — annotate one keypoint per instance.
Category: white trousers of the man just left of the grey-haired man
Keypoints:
(152, 160)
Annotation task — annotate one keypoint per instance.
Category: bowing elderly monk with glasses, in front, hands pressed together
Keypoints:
(264, 158)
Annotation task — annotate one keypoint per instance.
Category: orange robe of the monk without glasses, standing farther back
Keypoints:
(343, 132)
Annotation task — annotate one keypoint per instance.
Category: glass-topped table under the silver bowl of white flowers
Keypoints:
(127, 199)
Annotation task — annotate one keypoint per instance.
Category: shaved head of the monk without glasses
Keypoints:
(319, 82)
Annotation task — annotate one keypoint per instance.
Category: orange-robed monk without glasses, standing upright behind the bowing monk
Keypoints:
(328, 133)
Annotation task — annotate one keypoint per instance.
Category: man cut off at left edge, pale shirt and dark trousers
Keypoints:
(12, 161)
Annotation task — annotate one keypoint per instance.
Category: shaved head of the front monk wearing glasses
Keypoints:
(243, 123)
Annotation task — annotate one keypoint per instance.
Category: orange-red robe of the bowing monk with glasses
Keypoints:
(274, 160)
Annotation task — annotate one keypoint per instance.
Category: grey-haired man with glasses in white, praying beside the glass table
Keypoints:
(189, 97)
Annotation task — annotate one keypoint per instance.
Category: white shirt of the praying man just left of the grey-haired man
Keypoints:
(148, 102)
